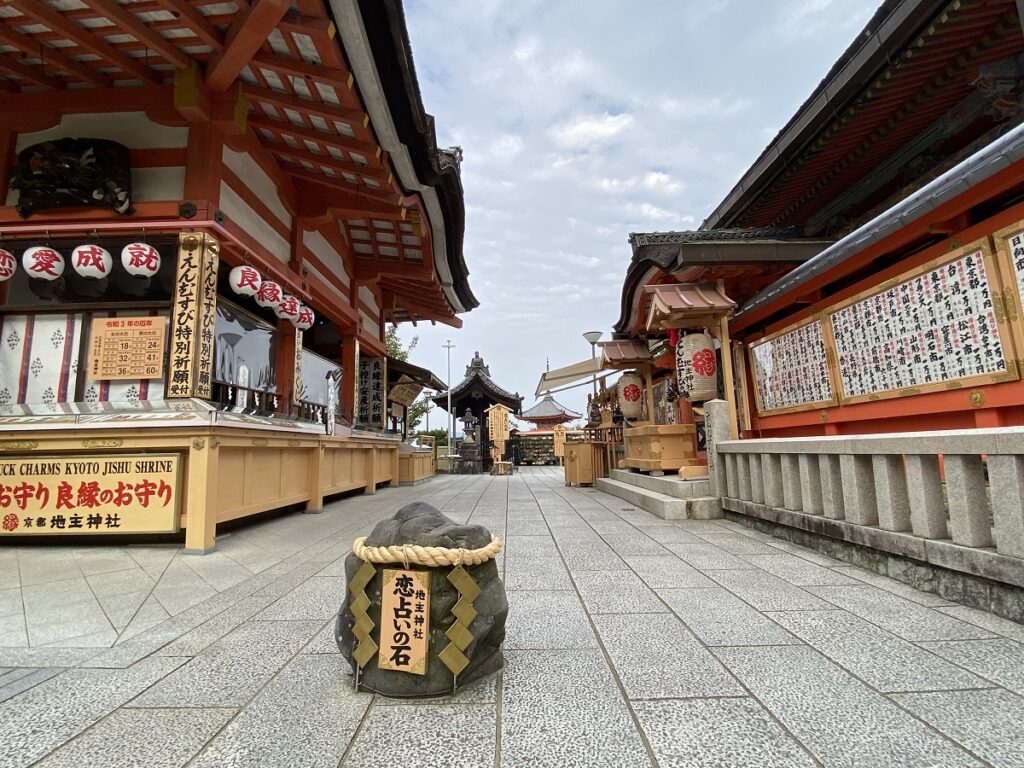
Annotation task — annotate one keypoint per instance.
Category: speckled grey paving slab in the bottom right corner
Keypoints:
(988, 722)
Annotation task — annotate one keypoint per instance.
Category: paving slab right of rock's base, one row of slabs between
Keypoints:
(657, 658)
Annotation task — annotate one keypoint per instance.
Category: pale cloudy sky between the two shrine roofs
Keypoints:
(583, 121)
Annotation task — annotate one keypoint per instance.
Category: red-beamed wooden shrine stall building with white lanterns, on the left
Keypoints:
(199, 254)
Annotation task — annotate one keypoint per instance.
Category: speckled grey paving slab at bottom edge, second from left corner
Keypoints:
(155, 739)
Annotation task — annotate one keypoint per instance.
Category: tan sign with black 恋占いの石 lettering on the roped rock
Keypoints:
(405, 621)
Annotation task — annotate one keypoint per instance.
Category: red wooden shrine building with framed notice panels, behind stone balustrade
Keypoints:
(875, 249)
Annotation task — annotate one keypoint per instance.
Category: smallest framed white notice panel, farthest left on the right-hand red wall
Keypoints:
(791, 370)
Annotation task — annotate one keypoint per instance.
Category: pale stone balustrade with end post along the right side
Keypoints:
(950, 499)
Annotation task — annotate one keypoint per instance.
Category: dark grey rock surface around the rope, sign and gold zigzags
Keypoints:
(423, 525)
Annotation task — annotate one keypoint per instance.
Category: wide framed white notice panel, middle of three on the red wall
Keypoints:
(938, 327)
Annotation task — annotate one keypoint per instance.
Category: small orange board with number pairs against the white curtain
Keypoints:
(127, 349)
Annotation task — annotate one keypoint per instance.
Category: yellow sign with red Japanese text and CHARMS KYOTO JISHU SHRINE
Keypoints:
(109, 494)
